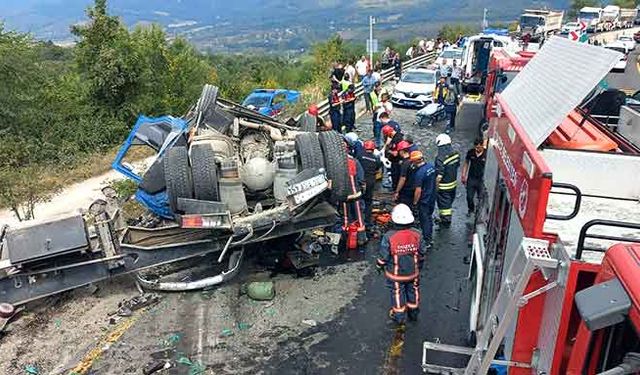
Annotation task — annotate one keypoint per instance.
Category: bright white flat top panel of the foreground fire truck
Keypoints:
(614, 171)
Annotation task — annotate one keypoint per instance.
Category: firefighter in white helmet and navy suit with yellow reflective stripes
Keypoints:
(447, 163)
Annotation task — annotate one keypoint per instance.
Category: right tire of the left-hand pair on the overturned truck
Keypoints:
(205, 173)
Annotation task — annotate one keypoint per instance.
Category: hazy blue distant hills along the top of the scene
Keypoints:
(264, 24)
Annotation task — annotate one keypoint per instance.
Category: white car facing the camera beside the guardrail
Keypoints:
(415, 88)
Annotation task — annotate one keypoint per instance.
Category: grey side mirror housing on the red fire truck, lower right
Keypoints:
(603, 305)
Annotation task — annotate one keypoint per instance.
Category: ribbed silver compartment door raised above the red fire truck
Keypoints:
(554, 82)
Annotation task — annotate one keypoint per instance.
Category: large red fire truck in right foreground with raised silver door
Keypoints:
(555, 264)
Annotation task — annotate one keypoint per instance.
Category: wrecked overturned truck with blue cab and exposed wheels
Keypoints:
(221, 177)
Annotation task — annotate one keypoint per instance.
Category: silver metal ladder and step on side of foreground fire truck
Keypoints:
(532, 255)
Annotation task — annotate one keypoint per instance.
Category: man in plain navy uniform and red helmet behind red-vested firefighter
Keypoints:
(424, 196)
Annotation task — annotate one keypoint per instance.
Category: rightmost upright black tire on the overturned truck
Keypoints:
(335, 161)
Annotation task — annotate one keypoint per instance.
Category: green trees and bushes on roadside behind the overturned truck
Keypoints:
(65, 111)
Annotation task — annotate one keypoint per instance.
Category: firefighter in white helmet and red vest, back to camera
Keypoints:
(401, 257)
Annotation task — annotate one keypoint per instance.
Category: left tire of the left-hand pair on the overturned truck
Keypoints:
(177, 175)
